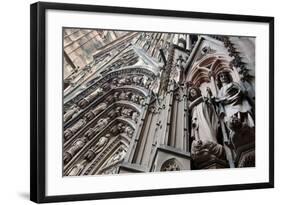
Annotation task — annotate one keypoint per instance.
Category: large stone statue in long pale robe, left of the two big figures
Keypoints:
(204, 127)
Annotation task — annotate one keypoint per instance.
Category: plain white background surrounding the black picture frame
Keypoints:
(14, 103)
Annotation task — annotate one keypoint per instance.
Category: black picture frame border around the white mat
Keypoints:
(38, 100)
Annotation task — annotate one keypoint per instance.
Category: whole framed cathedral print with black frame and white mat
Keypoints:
(129, 102)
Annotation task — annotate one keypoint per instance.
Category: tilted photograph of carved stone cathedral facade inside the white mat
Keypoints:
(150, 102)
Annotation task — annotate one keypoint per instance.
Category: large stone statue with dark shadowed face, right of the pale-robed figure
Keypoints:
(235, 108)
